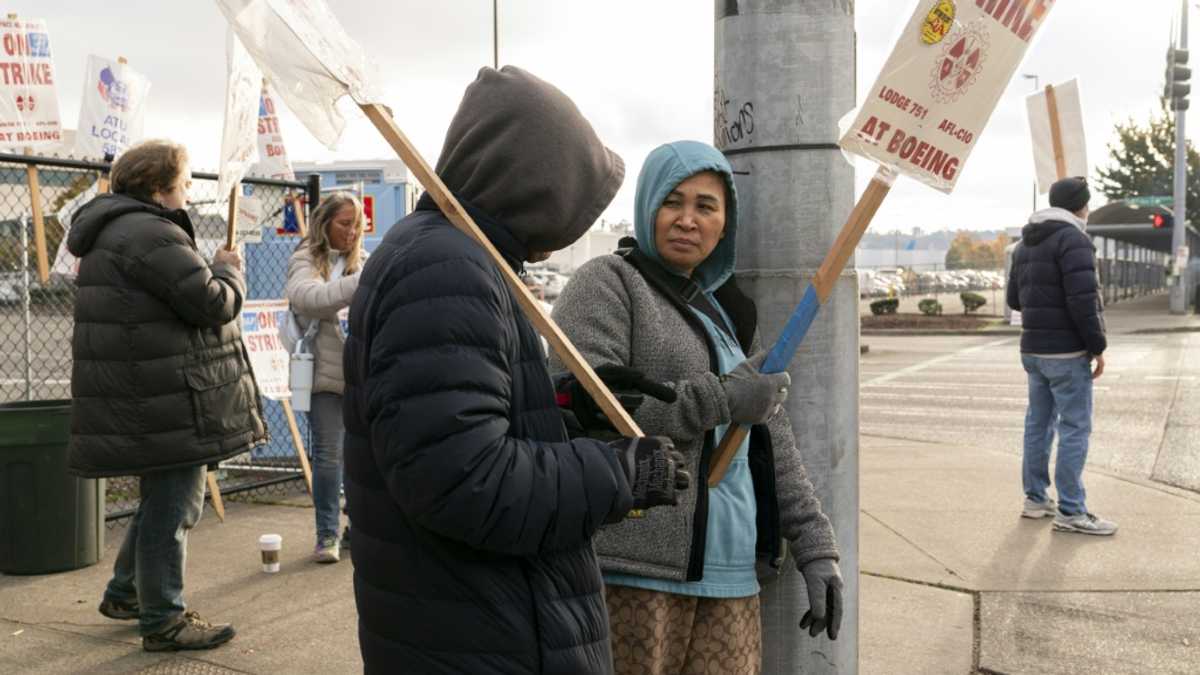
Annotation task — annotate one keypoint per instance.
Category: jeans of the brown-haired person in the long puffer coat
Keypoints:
(149, 568)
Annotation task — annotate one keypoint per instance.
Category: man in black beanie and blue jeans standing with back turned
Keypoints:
(1054, 285)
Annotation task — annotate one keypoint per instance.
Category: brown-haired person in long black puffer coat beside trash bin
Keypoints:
(161, 384)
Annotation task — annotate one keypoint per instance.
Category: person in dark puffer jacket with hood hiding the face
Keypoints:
(473, 512)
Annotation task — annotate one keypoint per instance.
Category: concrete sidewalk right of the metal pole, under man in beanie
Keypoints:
(955, 582)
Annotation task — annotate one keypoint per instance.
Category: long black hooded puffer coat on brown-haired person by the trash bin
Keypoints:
(161, 378)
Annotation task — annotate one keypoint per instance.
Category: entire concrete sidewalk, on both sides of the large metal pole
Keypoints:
(952, 581)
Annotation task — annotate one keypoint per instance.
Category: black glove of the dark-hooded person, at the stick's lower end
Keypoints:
(655, 470)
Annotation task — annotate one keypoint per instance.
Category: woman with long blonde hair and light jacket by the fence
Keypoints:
(322, 277)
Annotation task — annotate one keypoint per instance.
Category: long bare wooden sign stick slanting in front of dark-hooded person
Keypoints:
(459, 217)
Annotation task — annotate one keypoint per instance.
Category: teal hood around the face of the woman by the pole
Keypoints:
(665, 169)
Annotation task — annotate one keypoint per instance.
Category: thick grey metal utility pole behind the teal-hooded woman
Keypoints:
(785, 75)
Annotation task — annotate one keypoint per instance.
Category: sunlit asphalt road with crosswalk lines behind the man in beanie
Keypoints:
(971, 391)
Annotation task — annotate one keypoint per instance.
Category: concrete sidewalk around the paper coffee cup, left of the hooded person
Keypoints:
(302, 620)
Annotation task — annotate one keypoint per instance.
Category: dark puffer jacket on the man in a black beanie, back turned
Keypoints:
(1053, 284)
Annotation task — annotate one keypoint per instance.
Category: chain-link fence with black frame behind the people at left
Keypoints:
(37, 316)
